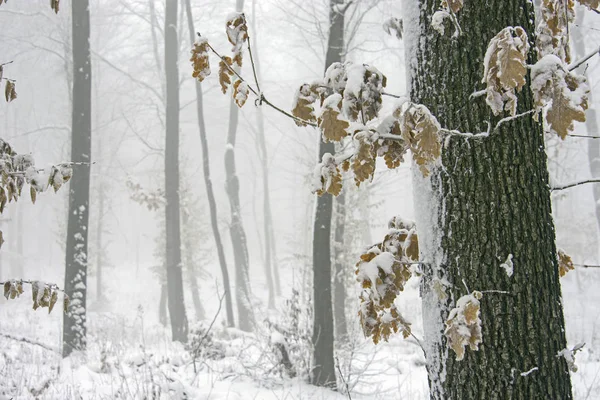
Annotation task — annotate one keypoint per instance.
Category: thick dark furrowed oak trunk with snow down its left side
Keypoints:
(489, 199)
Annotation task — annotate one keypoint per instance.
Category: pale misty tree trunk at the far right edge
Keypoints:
(591, 117)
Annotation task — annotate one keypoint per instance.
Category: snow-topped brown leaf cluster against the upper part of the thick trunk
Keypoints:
(505, 68)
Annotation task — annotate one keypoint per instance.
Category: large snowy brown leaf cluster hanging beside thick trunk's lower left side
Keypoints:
(378, 316)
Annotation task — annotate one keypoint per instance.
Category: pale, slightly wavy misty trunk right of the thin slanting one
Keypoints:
(238, 235)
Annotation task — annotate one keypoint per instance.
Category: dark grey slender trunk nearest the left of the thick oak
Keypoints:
(323, 373)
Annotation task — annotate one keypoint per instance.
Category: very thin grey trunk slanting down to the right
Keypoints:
(212, 205)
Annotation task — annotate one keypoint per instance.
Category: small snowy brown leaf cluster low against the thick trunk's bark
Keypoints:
(463, 326)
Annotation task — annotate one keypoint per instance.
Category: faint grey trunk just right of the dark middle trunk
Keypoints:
(340, 273)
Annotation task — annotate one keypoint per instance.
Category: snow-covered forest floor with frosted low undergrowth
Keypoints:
(130, 355)
